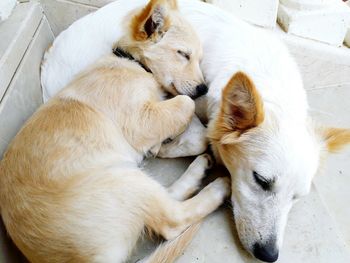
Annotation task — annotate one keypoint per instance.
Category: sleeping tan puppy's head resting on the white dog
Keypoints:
(160, 38)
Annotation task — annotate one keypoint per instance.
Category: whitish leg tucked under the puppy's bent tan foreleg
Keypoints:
(191, 142)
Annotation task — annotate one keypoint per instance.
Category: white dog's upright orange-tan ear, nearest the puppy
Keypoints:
(241, 108)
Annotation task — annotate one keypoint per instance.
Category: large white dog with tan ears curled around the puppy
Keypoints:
(256, 107)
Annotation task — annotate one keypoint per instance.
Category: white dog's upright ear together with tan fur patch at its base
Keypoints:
(241, 110)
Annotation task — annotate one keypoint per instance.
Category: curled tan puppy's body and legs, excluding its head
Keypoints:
(70, 186)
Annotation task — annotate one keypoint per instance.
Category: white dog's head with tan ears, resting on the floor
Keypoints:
(272, 161)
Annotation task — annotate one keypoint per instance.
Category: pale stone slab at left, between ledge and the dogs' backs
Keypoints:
(23, 95)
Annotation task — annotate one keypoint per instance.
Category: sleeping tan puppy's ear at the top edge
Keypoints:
(153, 20)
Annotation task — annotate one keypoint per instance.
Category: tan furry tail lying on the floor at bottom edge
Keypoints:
(171, 249)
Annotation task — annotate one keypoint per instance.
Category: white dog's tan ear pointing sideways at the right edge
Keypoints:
(334, 138)
